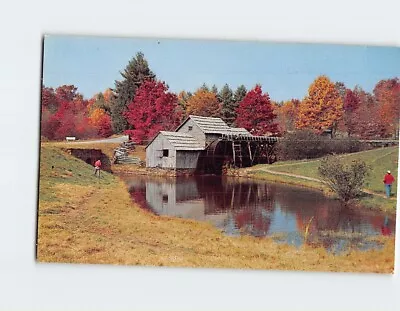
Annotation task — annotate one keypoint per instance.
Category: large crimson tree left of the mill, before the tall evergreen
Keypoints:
(153, 109)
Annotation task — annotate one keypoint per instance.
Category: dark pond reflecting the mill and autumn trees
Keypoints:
(259, 208)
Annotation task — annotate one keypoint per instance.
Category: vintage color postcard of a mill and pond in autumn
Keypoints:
(218, 154)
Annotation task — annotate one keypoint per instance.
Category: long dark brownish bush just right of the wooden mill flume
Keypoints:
(306, 144)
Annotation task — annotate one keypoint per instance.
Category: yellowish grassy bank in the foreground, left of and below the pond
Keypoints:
(83, 219)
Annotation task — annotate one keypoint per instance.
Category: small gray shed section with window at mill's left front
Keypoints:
(173, 150)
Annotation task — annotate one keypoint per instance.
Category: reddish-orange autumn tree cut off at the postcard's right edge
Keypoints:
(387, 95)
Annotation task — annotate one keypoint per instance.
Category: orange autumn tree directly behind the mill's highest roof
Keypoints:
(203, 103)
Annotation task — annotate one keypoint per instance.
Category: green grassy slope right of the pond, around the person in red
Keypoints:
(379, 160)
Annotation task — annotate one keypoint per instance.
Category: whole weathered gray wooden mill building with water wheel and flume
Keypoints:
(207, 145)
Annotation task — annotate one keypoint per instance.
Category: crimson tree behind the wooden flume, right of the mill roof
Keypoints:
(255, 113)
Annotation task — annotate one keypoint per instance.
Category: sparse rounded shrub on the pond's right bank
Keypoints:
(346, 180)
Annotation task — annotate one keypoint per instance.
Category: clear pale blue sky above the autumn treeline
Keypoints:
(284, 70)
